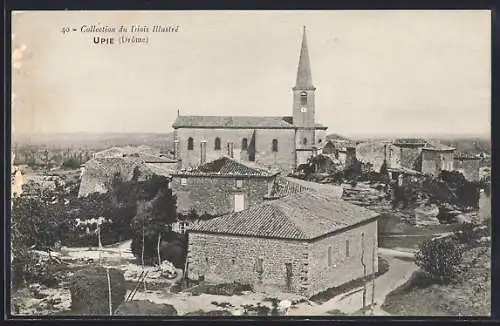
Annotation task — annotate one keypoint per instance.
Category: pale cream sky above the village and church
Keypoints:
(377, 73)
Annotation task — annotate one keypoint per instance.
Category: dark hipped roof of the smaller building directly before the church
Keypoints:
(226, 166)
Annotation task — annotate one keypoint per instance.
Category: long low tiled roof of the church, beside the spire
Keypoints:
(194, 121)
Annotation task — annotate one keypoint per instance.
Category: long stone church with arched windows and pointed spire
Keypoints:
(277, 142)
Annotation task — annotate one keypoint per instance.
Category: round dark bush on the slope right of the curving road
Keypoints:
(439, 258)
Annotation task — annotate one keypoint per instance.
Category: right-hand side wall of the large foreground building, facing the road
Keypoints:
(343, 268)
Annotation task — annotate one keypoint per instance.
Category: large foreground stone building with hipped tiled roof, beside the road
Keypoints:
(304, 243)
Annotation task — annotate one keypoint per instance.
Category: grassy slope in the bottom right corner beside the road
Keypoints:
(469, 296)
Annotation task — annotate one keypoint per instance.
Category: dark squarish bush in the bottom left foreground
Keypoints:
(89, 290)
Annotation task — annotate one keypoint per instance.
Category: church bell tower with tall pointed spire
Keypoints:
(303, 101)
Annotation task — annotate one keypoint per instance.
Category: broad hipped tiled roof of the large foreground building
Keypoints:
(301, 216)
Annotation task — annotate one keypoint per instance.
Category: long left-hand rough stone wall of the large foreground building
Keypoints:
(223, 259)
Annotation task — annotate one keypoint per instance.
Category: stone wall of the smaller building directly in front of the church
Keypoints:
(215, 195)
